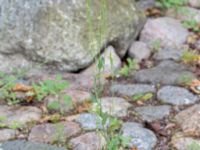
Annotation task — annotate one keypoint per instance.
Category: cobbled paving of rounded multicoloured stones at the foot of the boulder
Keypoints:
(21, 127)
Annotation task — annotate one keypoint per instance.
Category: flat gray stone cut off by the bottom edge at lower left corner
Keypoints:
(23, 145)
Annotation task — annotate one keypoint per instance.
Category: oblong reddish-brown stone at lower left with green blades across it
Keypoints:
(50, 133)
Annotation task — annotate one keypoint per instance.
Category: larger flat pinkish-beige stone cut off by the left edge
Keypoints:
(19, 116)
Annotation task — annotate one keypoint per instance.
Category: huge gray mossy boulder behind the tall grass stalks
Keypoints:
(56, 32)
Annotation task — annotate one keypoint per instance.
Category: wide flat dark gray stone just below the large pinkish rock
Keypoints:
(167, 72)
